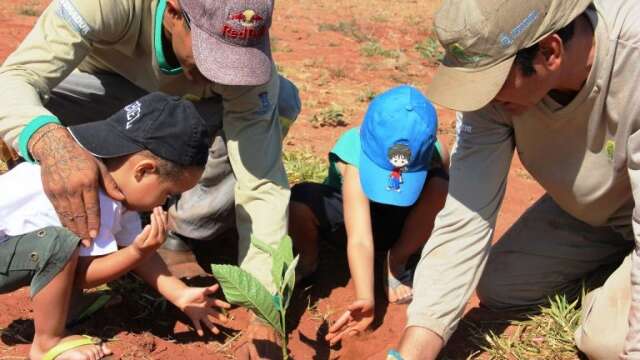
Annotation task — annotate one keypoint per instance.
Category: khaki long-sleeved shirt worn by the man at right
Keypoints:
(586, 155)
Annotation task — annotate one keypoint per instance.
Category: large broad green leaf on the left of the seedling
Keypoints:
(241, 288)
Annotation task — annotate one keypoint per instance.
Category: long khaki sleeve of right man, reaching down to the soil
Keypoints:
(454, 257)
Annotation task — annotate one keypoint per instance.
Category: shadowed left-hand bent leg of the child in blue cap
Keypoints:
(314, 209)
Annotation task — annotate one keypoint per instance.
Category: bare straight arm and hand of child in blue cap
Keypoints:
(360, 251)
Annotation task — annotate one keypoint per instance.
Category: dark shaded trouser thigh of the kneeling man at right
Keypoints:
(548, 252)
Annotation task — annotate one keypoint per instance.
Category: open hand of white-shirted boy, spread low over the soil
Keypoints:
(196, 303)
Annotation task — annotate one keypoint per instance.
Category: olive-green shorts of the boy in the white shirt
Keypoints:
(35, 258)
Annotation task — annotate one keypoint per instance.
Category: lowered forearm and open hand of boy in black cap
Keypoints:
(193, 301)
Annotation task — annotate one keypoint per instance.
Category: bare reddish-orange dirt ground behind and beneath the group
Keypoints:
(328, 67)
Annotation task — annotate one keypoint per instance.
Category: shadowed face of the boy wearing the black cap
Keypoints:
(144, 189)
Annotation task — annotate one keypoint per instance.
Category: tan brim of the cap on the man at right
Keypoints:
(463, 89)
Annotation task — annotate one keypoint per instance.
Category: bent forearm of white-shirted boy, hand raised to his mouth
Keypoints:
(95, 271)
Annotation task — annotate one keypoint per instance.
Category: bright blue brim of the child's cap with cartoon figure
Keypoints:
(375, 184)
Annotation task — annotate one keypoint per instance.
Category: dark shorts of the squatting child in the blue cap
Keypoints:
(325, 202)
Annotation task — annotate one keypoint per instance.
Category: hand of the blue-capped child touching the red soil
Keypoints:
(355, 320)
